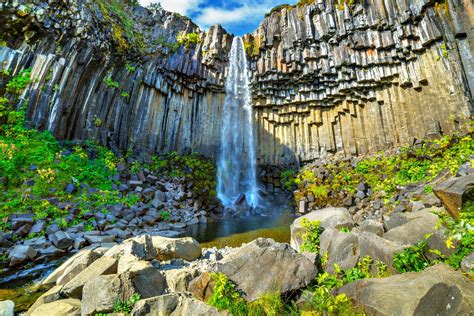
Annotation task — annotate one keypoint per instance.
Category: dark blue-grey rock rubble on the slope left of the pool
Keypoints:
(166, 206)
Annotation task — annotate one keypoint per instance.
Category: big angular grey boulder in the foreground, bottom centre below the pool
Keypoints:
(265, 266)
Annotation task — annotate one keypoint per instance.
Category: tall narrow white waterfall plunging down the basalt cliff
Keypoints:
(237, 165)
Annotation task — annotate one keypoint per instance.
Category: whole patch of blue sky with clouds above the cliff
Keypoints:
(236, 16)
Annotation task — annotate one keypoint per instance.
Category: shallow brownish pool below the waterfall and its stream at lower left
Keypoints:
(22, 286)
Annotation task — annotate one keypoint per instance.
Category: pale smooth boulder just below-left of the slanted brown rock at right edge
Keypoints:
(418, 226)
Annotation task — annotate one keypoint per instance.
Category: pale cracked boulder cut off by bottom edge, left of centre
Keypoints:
(174, 304)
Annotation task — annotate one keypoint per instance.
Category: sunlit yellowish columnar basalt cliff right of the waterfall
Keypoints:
(333, 78)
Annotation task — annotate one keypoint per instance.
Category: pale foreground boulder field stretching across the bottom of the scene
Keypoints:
(169, 276)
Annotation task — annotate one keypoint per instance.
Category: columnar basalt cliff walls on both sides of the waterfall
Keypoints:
(326, 78)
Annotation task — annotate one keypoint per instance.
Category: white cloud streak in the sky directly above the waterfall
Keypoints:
(248, 11)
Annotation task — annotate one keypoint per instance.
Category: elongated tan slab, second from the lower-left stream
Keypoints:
(101, 266)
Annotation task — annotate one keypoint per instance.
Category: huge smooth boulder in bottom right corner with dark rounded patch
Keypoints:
(437, 290)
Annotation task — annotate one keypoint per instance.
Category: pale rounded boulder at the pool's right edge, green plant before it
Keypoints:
(332, 217)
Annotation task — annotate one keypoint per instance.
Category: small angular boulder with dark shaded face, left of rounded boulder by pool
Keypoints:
(141, 247)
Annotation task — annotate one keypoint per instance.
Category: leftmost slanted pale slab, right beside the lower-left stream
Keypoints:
(72, 267)
